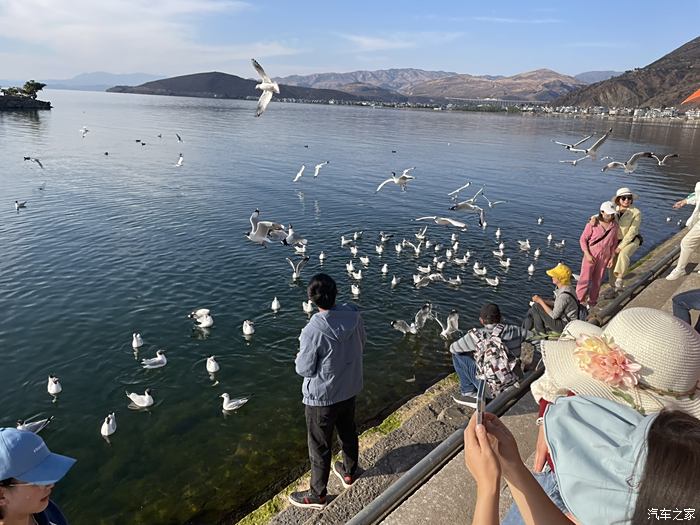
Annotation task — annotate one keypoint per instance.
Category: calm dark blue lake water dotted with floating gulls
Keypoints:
(128, 242)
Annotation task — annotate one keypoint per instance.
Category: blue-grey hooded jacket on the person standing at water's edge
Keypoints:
(330, 356)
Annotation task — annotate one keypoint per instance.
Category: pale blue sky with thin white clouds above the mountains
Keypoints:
(60, 38)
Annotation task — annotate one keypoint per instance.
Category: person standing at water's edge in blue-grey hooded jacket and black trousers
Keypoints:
(330, 361)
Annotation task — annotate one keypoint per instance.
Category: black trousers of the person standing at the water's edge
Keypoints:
(320, 422)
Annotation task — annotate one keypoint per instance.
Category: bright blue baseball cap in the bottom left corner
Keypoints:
(25, 457)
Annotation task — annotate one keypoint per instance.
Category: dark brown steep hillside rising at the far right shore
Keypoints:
(665, 82)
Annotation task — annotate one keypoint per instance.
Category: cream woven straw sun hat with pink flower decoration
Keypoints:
(644, 357)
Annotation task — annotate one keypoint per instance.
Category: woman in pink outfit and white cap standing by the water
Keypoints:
(598, 242)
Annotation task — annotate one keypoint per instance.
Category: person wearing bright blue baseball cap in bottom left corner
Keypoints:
(28, 472)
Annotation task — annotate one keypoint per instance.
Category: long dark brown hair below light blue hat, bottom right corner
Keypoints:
(670, 479)
